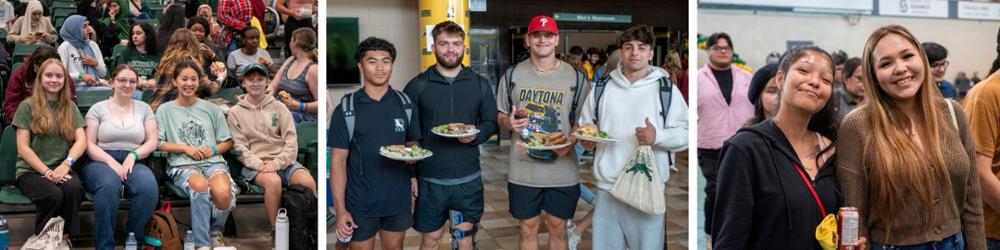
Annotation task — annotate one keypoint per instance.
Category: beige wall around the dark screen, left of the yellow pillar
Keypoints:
(393, 20)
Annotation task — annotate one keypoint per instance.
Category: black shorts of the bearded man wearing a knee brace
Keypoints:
(435, 200)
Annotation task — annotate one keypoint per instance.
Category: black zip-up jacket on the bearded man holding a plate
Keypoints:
(468, 99)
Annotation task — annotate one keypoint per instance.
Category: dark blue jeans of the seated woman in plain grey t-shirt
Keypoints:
(140, 186)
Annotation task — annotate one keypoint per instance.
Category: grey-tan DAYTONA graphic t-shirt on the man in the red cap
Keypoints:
(549, 98)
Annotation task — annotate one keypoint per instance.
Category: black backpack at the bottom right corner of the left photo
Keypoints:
(300, 203)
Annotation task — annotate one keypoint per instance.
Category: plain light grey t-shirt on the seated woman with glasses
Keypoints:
(111, 135)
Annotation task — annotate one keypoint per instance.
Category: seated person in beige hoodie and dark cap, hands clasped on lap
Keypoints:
(263, 130)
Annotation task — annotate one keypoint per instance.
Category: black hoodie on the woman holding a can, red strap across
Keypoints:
(762, 200)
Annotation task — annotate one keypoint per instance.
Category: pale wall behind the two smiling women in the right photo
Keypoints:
(970, 44)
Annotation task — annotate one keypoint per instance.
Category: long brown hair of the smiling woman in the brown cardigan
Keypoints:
(897, 163)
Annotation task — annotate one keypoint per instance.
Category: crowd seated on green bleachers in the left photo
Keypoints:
(62, 153)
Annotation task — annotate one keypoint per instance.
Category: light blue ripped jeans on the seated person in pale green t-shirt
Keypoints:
(204, 214)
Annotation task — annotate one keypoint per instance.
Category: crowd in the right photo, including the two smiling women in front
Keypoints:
(815, 132)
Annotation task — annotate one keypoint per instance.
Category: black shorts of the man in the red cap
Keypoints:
(528, 202)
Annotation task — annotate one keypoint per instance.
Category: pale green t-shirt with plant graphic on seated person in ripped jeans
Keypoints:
(201, 124)
